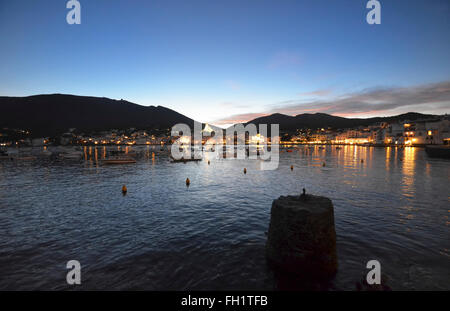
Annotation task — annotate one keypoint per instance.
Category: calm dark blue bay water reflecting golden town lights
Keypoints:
(394, 207)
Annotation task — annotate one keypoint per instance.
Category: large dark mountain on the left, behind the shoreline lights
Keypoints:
(47, 115)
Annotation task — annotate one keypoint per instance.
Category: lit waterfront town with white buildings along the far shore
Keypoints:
(429, 131)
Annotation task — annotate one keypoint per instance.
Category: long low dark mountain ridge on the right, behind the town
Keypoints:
(323, 120)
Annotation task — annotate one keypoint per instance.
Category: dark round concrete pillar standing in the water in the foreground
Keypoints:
(302, 236)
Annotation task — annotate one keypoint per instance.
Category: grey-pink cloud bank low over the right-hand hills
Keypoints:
(374, 101)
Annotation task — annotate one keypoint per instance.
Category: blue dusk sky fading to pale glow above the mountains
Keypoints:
(230, 61)
